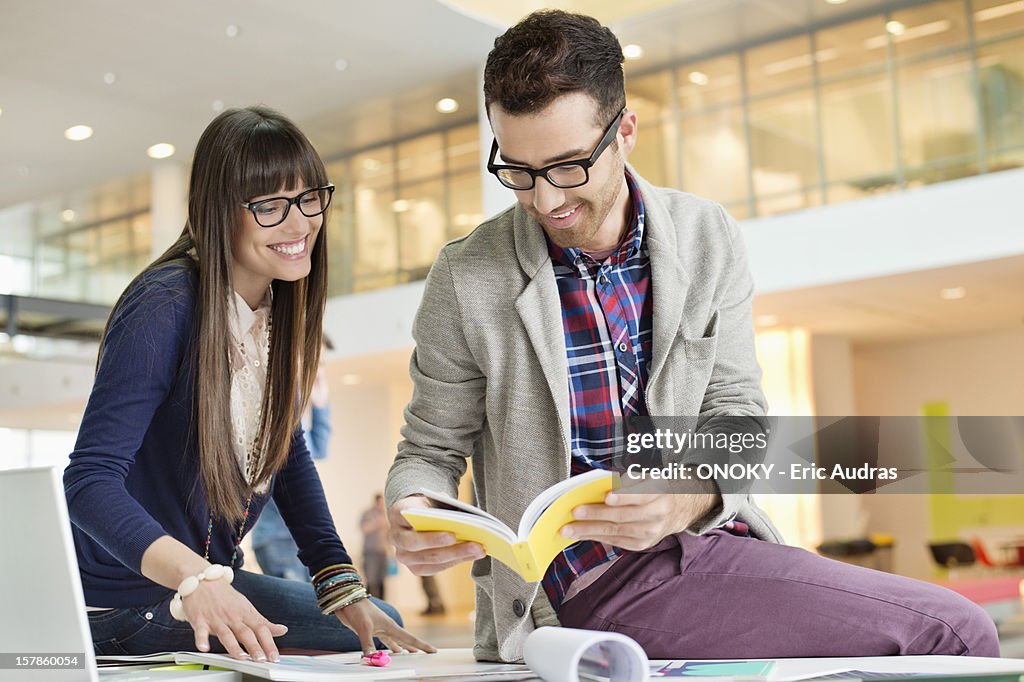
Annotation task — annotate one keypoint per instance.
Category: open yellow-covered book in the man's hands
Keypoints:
(531, 550)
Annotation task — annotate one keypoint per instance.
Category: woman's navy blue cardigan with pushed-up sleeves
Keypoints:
(135, 475)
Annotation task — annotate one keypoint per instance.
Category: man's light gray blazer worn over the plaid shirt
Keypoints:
(491, 378)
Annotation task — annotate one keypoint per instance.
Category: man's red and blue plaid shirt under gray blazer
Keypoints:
(607, 318)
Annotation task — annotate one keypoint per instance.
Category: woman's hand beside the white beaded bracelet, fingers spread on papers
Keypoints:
(218, 609)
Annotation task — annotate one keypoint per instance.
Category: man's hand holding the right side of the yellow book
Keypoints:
(637, 522)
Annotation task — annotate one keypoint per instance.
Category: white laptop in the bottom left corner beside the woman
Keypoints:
(42, 611)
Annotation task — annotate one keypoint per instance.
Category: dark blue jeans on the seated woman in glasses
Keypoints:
(151, 629)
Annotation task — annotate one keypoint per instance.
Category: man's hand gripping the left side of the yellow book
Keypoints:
(426, 553)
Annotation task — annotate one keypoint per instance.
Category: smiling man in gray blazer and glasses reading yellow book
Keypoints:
(598, 297)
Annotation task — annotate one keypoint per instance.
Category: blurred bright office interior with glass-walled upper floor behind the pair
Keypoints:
(872, 150)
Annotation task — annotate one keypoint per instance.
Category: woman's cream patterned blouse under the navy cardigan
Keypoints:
(250, 334)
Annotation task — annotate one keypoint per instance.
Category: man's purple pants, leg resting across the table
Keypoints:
(720, 596)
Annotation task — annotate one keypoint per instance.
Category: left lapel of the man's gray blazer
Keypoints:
(541, 312)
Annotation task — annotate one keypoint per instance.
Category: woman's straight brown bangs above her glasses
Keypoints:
(274, 158)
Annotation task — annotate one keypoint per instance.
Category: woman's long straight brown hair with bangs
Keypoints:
(243, 154)
